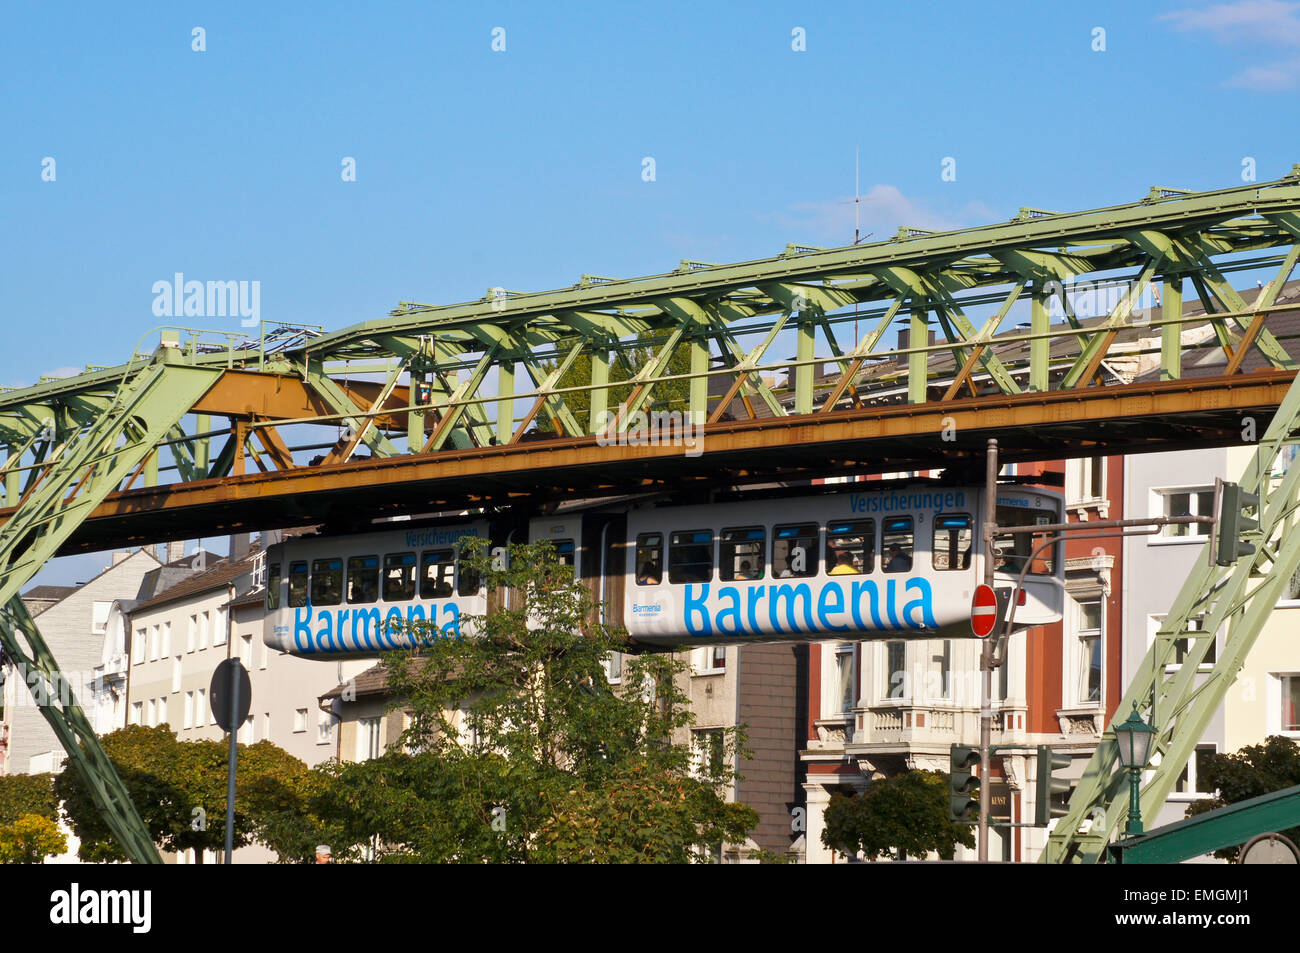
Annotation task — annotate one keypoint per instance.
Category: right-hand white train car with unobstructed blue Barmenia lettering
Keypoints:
(864, 564)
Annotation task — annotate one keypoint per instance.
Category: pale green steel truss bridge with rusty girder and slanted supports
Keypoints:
(895, 356)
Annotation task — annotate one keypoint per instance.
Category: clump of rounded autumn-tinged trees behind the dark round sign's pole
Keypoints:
(180, 790)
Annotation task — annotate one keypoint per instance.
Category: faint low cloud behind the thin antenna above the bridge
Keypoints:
(883, 210)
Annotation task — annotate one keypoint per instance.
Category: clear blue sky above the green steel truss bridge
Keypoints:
(523, 168)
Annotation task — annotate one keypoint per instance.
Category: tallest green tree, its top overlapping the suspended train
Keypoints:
(519, 751)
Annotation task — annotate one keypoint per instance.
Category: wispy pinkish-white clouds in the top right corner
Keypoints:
(1250, 23)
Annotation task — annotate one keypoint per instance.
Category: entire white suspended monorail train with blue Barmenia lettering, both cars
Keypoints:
(864, 561)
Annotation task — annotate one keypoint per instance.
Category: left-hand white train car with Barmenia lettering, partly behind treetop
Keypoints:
(363, 595)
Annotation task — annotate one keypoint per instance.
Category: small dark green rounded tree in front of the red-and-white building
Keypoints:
(902, 816)
